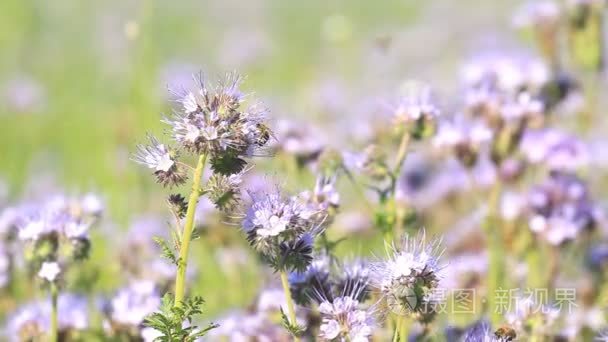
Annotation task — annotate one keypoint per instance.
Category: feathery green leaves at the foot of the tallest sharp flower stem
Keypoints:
(175, 322)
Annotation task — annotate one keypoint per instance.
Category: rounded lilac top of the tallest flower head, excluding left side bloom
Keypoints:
(214, 121)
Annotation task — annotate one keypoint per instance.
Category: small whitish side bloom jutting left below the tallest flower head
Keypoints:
(162, 160)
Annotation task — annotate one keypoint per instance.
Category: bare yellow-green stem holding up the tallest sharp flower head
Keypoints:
(180, 279)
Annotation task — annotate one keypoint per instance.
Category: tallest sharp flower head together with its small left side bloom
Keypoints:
(211, 121)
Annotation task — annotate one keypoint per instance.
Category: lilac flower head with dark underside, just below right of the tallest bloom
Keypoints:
(282, 229)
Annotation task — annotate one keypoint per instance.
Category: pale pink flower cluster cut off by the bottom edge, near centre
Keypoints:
(343, 319)
